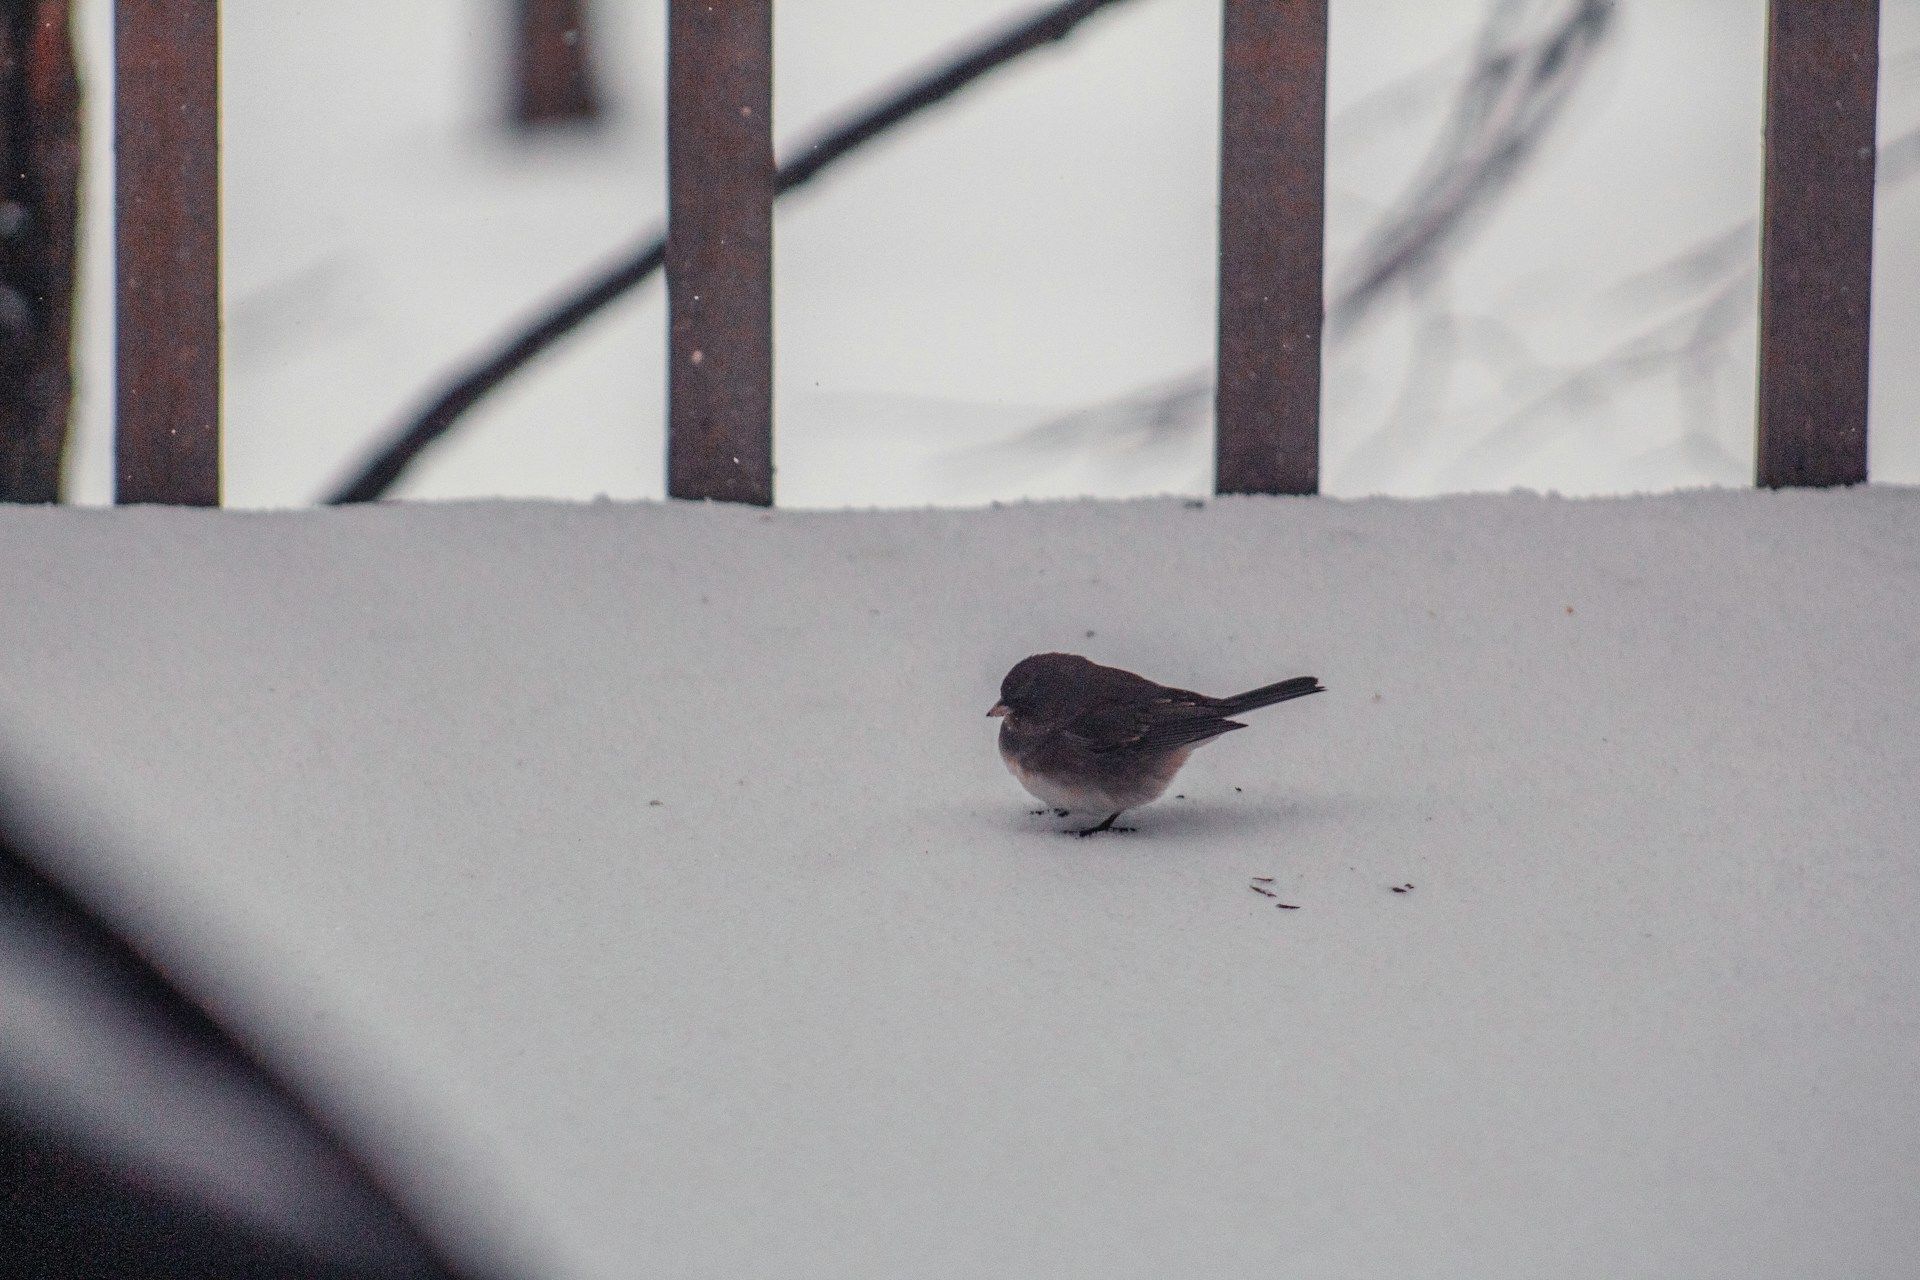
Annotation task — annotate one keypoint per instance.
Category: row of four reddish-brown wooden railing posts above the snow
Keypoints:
(1815, 249)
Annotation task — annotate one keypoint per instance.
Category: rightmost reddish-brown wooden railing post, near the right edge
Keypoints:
(1817, 241)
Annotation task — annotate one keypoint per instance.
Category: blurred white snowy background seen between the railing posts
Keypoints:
(1036, 250)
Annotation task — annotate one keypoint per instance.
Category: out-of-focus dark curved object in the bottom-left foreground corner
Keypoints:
(137, 1137)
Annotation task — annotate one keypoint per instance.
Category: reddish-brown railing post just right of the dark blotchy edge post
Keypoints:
(168, 252)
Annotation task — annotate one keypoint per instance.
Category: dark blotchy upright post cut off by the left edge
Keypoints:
(39, 212)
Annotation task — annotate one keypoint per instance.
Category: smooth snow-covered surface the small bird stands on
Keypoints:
(646, 878)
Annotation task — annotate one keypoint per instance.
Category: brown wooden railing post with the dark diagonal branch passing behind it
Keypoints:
(721, 250)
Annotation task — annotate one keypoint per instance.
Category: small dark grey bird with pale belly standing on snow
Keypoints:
(1088, 738)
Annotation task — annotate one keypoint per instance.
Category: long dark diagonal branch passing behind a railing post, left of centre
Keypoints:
(377, 477)
